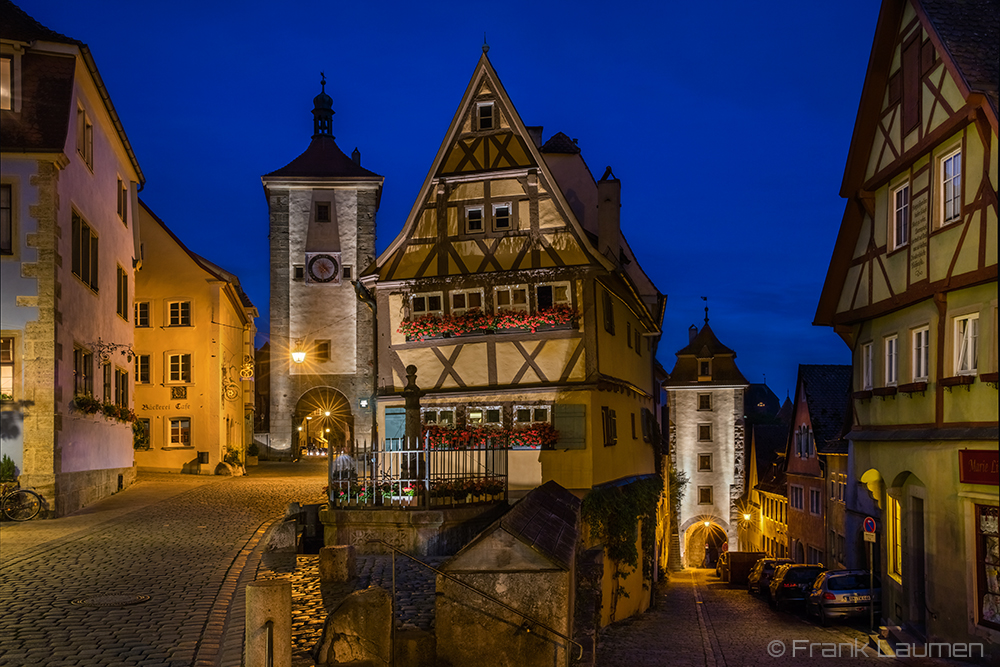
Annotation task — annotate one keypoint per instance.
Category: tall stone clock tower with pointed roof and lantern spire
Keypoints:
(322, 210)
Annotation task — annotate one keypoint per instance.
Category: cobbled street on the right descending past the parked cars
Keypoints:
(700, 621)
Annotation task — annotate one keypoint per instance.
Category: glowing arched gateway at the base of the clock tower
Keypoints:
(323, 423)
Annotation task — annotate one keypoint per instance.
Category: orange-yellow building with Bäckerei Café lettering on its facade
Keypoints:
(193, 369)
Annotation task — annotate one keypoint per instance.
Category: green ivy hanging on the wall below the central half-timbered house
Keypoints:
(613, 515)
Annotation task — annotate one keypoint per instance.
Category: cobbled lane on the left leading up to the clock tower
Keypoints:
(179, 551)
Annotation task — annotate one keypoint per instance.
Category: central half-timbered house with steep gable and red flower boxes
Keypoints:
(514, 293)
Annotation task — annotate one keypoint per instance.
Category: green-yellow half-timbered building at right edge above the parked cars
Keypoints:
(912, 289)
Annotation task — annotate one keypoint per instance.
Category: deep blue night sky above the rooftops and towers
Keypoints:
(727, 122)
